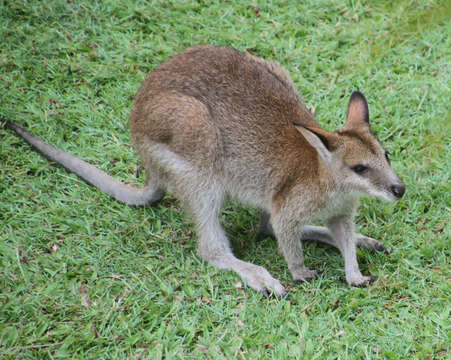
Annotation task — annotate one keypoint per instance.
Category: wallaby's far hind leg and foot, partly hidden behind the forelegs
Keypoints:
(322, 234)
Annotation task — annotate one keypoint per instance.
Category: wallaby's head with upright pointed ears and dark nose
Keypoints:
(357, 160)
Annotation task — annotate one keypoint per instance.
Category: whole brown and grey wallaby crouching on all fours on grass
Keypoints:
(213, 123)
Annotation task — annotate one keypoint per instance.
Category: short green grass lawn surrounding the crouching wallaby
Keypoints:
(82, 276)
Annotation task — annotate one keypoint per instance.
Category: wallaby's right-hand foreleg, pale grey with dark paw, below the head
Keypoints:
(342, 230)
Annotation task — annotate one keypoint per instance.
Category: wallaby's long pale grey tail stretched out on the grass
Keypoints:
(126, 194)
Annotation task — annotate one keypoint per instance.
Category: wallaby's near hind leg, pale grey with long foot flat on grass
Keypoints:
(203, 196)
